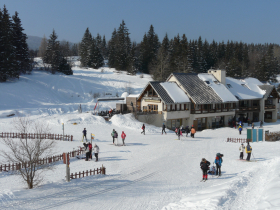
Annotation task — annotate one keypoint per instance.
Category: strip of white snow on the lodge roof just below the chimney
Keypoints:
(218, 87)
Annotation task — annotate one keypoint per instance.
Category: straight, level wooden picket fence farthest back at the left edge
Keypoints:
(37, 136)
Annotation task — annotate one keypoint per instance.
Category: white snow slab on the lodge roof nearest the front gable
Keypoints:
(176, 93)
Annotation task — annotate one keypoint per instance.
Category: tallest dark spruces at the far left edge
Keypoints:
(14, 55)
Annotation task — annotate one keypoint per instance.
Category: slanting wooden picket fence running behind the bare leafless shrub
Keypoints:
(48, 160)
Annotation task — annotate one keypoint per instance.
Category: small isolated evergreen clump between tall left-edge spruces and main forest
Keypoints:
(56, 55)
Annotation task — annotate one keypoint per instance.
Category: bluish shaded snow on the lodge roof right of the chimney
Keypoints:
(241, 90)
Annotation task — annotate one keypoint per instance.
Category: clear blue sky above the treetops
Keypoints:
(254, 21)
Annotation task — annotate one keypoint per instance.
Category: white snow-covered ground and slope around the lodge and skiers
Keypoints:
(152, 171)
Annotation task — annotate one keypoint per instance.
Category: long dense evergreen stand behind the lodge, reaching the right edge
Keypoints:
(161, 58)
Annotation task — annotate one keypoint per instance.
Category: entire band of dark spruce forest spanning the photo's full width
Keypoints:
(151, 56)
